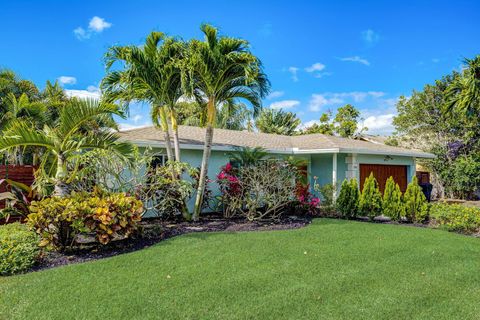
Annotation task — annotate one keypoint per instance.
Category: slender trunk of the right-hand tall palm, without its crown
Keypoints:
(207, 149)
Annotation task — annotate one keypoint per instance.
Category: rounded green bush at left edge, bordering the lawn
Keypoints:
(18, 248)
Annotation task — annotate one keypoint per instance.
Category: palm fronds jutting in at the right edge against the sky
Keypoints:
(464, 92)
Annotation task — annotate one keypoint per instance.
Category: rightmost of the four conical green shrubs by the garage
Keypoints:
(416, 206)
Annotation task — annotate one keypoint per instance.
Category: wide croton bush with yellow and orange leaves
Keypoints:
(59, 220)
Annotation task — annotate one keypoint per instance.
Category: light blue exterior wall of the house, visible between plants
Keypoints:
(319, 165)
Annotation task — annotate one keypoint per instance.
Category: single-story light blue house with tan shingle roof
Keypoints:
(331, 159)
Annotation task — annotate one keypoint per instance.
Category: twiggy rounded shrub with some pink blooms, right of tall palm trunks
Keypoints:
(257, 192)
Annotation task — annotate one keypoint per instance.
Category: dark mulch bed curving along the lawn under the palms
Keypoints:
(154, 231)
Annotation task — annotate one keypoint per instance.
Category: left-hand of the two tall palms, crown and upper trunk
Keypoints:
(150, 73)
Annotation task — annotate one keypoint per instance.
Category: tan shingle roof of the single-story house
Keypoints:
(193, 138)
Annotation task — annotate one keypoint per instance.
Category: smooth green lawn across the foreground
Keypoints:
(330, 270)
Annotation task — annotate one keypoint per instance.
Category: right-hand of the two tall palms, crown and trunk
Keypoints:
(216, 70)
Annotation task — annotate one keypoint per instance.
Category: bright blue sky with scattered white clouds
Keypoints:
(318, 55)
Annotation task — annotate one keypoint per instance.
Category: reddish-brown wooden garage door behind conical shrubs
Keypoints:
(382, 173)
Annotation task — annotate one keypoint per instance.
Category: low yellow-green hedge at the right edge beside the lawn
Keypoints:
(455, 217)
